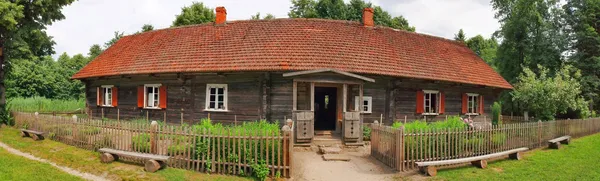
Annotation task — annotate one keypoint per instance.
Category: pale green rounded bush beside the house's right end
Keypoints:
(545, 95)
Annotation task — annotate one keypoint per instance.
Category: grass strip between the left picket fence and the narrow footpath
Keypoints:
(88, 161)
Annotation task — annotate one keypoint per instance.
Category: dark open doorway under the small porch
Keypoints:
(325, 108)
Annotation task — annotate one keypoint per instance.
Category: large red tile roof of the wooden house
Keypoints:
(292, 45)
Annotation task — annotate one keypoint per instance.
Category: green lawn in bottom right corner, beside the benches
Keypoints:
(580, 160)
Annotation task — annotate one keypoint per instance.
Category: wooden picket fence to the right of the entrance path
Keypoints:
(401, 148)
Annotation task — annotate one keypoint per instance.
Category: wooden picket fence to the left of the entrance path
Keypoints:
(223, 151)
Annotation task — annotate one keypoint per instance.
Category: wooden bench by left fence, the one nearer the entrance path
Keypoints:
(153, 162)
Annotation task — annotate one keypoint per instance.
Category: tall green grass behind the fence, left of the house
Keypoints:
(41, 104)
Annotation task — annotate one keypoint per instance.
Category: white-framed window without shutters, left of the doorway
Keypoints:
(216, 97)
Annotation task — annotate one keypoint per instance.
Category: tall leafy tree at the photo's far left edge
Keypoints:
(23, 36)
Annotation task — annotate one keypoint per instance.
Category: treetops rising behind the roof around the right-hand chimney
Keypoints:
(337, 9)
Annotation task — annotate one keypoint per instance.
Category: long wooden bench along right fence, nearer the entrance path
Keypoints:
(429, 167)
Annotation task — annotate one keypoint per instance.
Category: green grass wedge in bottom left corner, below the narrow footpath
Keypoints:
(14, 167)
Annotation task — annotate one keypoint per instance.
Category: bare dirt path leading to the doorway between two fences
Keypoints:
(311, 166)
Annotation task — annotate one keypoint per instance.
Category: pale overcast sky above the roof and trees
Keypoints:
(91, 22)
